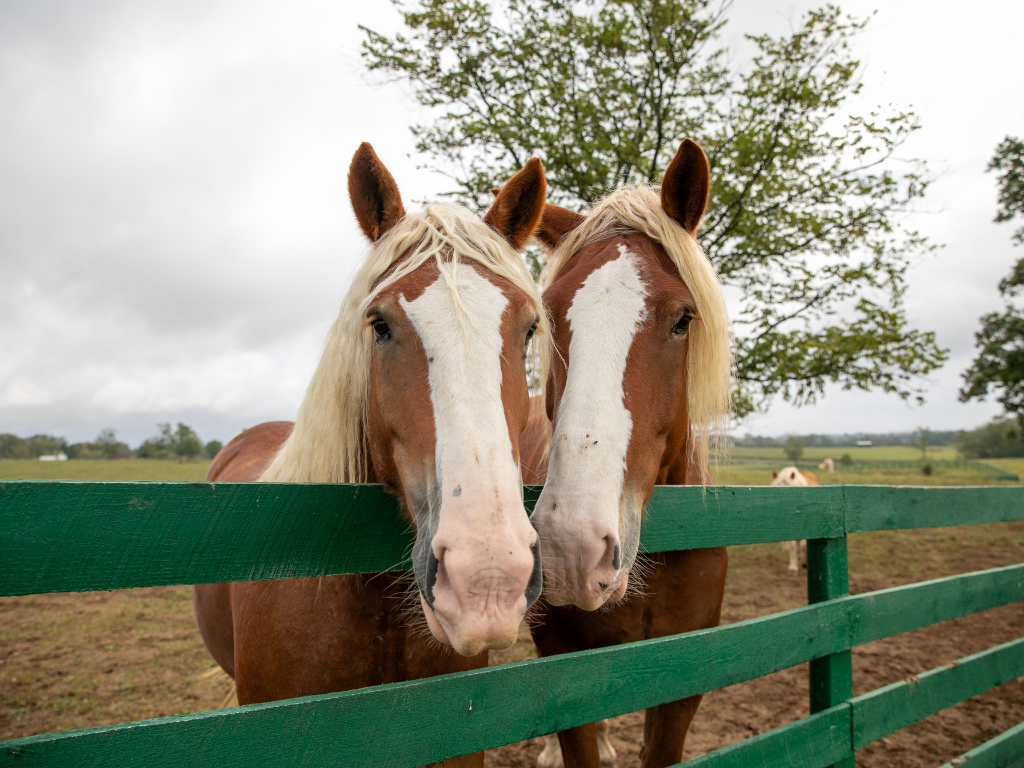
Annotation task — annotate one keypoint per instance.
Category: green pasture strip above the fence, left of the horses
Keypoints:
(113, 470)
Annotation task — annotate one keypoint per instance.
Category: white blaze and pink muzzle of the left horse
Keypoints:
(484, 538)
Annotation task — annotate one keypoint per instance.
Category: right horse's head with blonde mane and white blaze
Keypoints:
(639, 373)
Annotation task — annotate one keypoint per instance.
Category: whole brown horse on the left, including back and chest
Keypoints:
(421, 387)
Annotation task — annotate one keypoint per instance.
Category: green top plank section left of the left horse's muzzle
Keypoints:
(68, 537)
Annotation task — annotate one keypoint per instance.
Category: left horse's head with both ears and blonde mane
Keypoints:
(422, 387)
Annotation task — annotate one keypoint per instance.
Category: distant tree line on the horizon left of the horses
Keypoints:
(183, 444)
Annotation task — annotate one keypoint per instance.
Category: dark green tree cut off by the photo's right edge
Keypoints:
(1000, 364)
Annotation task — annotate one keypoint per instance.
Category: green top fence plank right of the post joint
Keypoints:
(892, 508)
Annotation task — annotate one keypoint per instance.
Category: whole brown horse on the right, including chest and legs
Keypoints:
(639, 382)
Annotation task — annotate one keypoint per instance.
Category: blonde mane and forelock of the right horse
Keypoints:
(709, 359)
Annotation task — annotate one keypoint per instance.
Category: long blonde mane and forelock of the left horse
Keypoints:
(329, 442)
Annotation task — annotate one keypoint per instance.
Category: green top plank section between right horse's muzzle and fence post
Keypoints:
(690, 518)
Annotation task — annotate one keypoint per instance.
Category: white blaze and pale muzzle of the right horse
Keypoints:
(592, 429)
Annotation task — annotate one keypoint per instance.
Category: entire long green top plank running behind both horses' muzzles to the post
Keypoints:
(68, 537)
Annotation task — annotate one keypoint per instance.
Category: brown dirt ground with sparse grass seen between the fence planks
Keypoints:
(76, 661)
